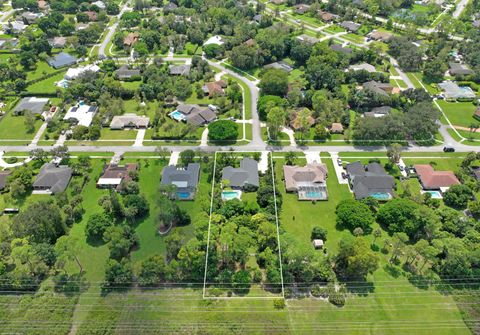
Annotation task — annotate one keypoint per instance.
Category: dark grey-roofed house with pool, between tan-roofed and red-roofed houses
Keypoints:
(370, 181)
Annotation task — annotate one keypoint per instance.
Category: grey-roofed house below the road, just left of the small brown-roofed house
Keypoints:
(52, 179)
